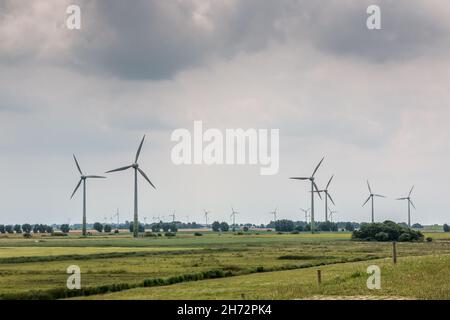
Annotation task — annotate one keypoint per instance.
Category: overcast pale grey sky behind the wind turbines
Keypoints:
(374, 103)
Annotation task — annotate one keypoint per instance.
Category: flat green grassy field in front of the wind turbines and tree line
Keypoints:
(221, 266)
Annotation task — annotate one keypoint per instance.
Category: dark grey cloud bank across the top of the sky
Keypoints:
(155, 40)
